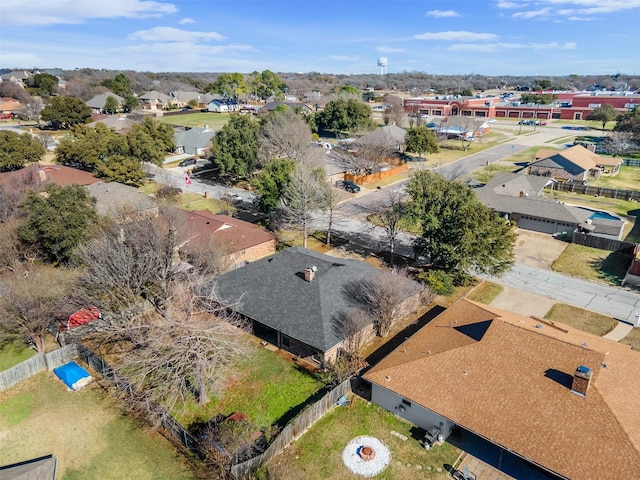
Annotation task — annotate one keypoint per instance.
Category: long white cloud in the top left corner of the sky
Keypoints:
(43, 12)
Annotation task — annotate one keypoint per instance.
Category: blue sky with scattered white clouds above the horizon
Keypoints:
(486, 37)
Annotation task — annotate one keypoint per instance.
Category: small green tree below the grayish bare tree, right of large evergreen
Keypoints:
(271, 182)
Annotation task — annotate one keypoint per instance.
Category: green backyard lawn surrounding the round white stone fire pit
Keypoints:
(318, 454)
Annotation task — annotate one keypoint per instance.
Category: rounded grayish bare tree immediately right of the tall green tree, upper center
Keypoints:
(285, 134)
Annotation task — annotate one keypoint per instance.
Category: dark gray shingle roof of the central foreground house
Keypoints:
(273, 291)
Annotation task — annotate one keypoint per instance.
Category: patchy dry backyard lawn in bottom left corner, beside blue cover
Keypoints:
(85, 430)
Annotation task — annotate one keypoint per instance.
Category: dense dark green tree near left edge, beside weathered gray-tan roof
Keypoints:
(59, 221)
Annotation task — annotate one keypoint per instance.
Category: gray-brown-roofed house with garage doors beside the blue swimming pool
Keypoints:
(519, 199)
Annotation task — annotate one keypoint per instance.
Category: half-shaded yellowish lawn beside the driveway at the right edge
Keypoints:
(592, 264)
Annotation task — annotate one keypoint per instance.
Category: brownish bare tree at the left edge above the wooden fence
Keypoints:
(31, 300)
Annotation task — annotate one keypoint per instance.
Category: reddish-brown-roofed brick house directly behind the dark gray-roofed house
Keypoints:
(241, 242)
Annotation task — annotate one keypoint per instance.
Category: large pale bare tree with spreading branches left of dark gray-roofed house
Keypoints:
(188, 350)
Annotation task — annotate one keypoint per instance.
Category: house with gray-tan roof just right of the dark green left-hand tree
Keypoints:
(113, 199)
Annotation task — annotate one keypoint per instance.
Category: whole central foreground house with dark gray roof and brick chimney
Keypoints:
(295, 298)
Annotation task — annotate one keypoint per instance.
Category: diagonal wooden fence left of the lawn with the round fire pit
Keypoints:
(292, 431)
